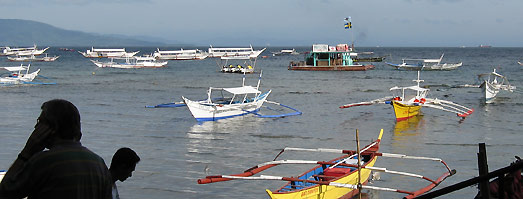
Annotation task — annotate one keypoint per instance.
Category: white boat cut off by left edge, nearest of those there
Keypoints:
(18, 75)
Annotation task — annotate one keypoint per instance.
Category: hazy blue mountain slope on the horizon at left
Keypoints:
(17, 32)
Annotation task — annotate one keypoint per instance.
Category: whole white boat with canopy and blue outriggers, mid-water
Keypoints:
(244, 100)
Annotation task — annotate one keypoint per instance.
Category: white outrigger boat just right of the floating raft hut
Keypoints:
(425, 64)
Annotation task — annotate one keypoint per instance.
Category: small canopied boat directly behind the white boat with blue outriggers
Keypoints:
(226, 65)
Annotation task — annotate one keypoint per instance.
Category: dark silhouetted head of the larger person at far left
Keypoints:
(63, 117)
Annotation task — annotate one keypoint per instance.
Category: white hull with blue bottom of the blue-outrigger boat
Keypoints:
(203, 111)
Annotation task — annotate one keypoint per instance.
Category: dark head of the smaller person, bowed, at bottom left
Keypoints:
(123, 164)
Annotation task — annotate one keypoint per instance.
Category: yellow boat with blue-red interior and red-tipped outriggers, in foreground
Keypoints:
(342, 177)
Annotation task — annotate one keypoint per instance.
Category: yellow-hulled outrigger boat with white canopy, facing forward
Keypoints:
(407, 105)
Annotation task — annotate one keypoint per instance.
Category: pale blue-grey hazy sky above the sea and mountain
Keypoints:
(386, 23)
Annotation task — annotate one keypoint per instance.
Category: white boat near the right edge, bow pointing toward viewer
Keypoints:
(492, 83)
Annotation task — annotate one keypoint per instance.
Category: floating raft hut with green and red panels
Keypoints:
(325, 58)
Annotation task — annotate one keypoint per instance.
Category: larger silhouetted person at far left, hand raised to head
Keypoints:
(66, 170)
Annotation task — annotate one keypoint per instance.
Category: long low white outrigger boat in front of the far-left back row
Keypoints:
(132, 62)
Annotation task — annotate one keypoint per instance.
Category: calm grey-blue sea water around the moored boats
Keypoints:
(175, 149)
